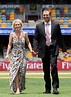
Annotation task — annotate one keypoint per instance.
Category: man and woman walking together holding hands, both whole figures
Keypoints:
(48, 53)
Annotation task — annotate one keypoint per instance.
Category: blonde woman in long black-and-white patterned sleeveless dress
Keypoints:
(17, 59)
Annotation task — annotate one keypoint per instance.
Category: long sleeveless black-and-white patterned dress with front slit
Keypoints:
(18, 63)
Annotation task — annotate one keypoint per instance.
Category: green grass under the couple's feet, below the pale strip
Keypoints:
(35, 88)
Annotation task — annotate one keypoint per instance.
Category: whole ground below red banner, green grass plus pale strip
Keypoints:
(35, 85)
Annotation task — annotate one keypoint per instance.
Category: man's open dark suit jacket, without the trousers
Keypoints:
(39, 39)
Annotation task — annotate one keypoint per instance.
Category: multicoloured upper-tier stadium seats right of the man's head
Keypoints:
(63, 16)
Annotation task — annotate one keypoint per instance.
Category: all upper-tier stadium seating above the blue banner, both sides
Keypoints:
(61, 14)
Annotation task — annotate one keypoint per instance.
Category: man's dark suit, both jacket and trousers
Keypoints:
(49, 54)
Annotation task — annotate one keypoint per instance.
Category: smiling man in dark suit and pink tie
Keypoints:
(46, 42)
